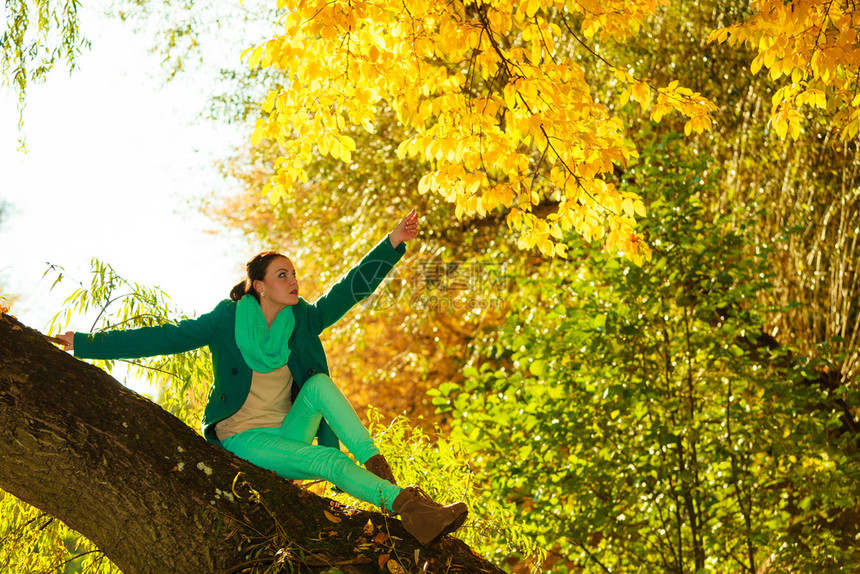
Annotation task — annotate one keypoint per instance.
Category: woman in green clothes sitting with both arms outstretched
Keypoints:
(272, 392)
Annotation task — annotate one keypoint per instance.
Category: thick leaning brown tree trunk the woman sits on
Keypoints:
(154, 496)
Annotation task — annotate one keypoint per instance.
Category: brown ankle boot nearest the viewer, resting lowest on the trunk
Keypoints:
(425, 519)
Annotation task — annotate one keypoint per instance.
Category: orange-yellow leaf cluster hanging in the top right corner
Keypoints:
(813, 45)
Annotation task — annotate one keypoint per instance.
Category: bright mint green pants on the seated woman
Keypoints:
(287, 450)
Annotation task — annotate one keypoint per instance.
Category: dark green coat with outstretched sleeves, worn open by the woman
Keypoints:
(216, 329)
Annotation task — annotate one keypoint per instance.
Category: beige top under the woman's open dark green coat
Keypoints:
(267, 404)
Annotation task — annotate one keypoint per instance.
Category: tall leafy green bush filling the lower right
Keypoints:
(642, 419)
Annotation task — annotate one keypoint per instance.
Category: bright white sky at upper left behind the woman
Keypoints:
(116, 162)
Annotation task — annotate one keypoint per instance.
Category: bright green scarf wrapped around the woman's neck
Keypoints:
(264, 349)
